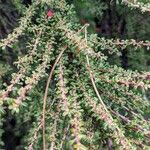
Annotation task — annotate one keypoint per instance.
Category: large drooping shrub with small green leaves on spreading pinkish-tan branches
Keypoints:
(83, 85)
